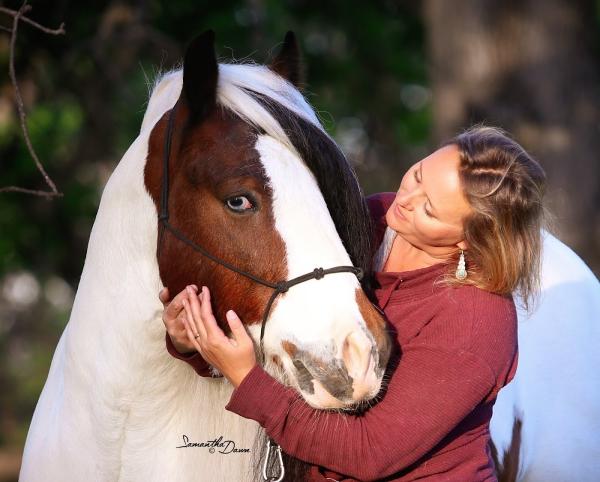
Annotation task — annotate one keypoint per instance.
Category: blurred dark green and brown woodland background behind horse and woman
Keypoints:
(390, 80)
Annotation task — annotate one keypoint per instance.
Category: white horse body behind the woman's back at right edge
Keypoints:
(546, 422)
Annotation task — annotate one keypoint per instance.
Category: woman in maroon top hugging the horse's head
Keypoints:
(461, 234)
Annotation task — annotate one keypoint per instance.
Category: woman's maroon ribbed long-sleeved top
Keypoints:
(458, 349)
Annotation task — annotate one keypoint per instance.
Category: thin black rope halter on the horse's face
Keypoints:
(278, 287)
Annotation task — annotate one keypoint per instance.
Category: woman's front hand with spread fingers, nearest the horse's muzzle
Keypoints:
(233, 357)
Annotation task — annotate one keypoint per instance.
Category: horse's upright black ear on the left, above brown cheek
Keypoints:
(200, 75)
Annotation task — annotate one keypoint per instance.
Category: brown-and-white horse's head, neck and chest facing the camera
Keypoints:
(255, 180)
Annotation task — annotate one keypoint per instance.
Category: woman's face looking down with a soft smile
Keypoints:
(430, 206)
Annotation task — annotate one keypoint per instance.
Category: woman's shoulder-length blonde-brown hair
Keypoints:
(504, 186)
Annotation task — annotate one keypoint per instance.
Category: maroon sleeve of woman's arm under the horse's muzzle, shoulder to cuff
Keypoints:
(438, 381)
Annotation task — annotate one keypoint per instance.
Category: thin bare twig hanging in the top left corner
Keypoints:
(18, 15)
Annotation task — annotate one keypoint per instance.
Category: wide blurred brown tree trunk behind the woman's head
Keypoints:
(527, 66)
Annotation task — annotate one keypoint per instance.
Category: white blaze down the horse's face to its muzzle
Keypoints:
(311, 240)
